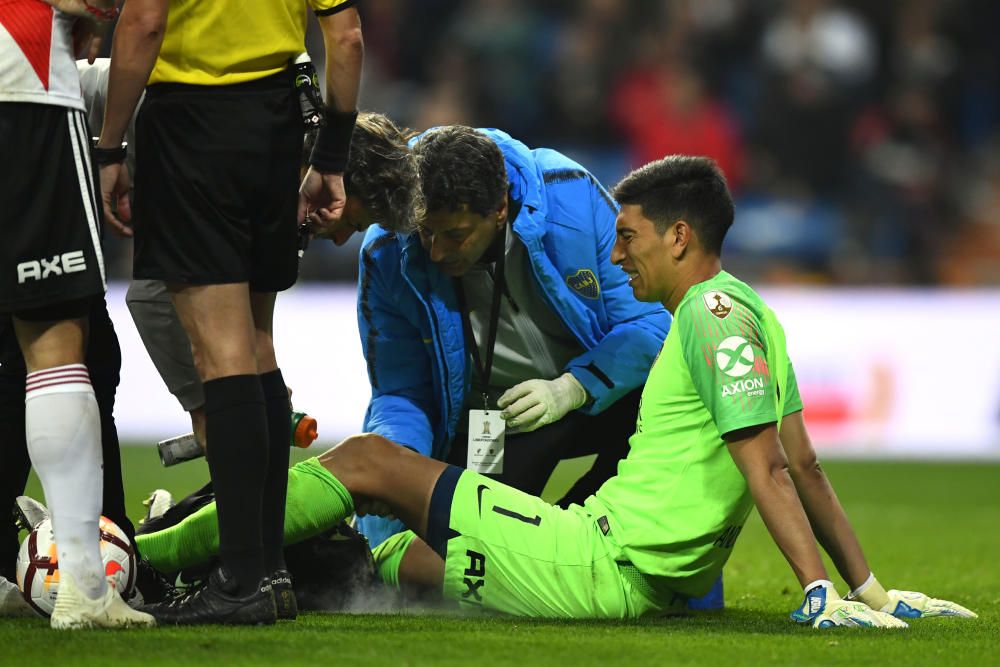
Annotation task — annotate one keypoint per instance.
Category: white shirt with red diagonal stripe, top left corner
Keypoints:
(36, 55)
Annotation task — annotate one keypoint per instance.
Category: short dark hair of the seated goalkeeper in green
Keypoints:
(682, 187)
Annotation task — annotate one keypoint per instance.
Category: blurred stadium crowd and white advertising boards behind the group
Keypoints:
(862, 141)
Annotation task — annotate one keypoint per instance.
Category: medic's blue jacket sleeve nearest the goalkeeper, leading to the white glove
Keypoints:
(620, 362)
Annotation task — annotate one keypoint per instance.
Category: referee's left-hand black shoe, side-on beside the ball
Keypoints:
(217, 603)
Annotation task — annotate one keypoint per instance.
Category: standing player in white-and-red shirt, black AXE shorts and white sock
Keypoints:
(52, 271)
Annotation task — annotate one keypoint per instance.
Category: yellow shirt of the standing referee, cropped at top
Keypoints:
(221, 42)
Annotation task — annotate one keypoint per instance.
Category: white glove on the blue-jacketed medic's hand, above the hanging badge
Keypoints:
(535, 403)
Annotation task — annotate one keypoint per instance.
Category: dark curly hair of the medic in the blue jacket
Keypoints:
(459, 165)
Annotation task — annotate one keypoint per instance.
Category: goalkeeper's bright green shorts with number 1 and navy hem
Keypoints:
(512, 552)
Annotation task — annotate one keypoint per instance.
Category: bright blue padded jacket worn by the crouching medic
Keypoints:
(411, 326)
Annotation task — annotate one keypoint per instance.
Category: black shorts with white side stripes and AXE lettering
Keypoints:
(49, 218)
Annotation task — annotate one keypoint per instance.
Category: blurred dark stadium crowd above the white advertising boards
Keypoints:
(804, 103)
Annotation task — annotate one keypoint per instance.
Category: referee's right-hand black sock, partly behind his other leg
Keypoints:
(279, 425)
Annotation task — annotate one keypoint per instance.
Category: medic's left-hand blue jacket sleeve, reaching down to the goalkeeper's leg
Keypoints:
(402, 406)
